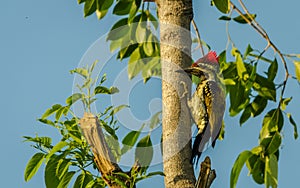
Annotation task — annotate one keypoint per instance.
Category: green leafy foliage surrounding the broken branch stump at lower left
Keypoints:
(72, 155)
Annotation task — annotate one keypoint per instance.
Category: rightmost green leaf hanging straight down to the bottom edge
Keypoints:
(271, 171)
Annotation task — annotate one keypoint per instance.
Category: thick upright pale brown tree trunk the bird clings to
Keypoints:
(175, 47)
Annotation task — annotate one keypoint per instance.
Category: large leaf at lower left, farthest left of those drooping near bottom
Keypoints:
(33, 165)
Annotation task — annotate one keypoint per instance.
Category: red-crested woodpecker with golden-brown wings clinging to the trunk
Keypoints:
(207, 103)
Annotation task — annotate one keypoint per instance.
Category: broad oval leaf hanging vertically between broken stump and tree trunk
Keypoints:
(144, 152)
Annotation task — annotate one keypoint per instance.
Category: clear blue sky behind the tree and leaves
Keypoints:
(42, 40)
